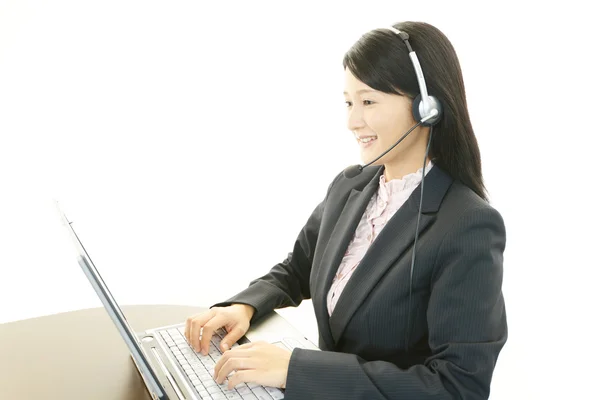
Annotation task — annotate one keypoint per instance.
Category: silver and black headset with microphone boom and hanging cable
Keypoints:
(427, 110)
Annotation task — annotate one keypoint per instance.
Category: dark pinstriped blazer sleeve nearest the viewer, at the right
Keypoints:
(467, 329)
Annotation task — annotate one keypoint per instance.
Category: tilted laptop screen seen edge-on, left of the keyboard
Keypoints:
(114, 311)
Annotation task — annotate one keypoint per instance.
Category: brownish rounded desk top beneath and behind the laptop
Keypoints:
(77, 355)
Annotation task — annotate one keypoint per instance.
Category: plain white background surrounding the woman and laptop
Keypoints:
(189, 143)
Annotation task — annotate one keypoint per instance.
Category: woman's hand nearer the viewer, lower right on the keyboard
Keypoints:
(260, 362)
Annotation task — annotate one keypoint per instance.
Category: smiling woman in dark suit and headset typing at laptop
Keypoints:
(390, 327)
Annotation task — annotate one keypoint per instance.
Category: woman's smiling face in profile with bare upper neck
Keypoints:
(378, 120)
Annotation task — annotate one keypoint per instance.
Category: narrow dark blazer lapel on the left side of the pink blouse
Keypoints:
(335, 249)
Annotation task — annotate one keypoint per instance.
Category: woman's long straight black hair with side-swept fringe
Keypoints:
(380, 60)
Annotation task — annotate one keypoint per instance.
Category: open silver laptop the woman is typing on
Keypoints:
(169, 367)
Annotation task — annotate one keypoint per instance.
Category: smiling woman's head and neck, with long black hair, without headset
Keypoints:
(381, 86)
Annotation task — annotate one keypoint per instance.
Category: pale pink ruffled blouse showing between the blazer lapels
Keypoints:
(389, 197)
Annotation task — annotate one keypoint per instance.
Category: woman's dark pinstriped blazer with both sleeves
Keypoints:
(443, 344)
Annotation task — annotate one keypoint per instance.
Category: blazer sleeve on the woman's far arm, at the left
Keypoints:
(287, 283)
